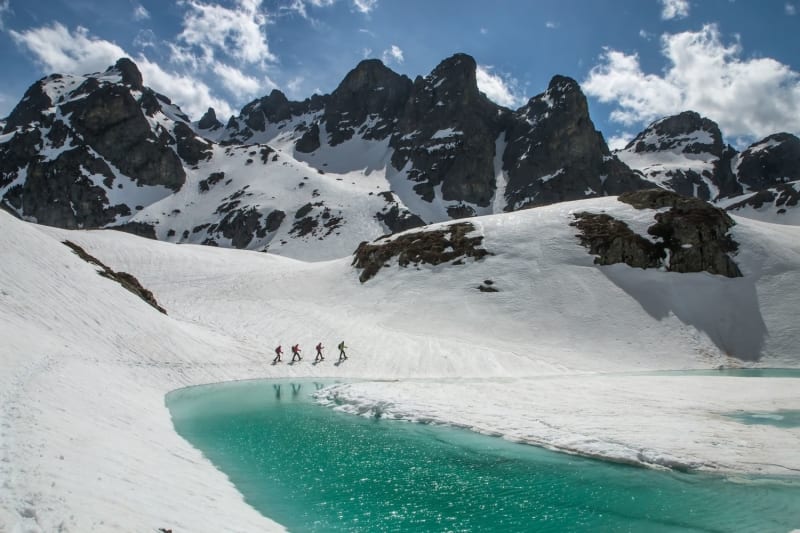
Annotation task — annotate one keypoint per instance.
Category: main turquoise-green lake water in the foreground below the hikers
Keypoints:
(313, 469)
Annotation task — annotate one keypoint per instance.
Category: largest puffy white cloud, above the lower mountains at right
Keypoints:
(746, 97)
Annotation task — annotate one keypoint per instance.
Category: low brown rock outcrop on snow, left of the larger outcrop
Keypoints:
(428, 247)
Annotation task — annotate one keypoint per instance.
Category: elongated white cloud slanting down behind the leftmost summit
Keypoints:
(57, 49)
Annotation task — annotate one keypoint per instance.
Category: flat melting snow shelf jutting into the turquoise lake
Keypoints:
(675, 422)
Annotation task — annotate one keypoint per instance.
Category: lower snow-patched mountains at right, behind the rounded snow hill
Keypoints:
(685, 153)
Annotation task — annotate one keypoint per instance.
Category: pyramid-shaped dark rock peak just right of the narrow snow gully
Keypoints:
(554, 154)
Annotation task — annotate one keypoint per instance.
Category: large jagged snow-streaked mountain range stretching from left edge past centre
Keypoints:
(306, 179)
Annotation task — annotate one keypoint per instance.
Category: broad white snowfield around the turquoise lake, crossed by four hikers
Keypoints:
(87, 365)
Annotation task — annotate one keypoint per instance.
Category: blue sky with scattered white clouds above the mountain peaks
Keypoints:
(735, 61)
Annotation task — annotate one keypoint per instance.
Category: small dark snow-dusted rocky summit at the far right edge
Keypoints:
(770, 162)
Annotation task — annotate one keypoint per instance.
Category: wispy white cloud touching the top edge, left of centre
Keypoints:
(237, 32)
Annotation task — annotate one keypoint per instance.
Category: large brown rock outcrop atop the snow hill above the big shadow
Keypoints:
(693, 235)
